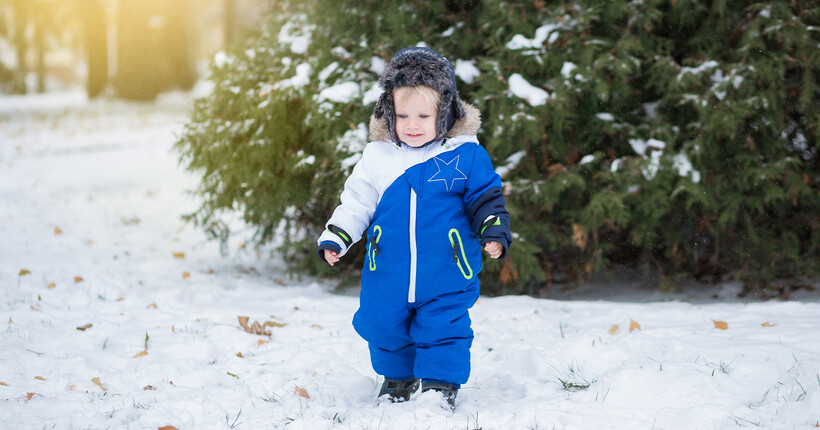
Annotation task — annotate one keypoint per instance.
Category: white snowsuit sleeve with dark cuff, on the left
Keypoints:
(352, 217)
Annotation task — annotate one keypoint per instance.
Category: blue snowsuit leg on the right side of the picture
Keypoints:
(441, 330)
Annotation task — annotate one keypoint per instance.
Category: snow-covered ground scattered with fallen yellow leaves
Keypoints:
(117, 315)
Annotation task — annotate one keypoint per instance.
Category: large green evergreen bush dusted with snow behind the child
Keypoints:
(678, 137)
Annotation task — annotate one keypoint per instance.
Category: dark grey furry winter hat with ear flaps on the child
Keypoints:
(412, 67)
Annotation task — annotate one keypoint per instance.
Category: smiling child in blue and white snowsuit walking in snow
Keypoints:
(428, 198)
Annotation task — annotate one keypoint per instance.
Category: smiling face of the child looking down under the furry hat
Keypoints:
(415, 120)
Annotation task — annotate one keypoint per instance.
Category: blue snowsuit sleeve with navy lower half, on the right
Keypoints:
(485, 204)
